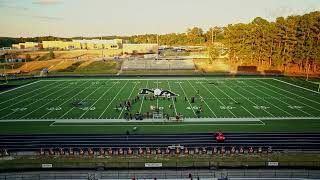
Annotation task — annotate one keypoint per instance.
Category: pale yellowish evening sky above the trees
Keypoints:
(70, 18)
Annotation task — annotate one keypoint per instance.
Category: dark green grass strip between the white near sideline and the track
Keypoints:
(301, 125)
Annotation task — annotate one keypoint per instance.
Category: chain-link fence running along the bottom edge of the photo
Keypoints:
(165, 174)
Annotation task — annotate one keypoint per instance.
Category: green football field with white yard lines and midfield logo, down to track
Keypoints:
(63, 105)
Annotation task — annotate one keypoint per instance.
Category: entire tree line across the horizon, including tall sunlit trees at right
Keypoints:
(294, 40)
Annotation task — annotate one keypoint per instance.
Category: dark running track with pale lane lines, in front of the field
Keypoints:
(278, 141)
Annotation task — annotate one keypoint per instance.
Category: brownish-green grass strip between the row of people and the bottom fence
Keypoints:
(248, 160)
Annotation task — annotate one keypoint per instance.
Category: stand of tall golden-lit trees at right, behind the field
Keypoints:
(294, 40)
